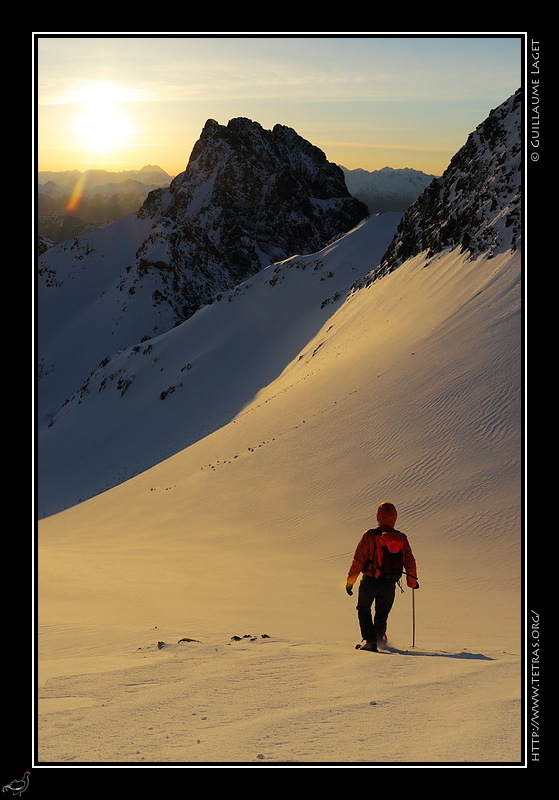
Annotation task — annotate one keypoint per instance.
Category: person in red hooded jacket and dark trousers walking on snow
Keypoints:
(382, 555)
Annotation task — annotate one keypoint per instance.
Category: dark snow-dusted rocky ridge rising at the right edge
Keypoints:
(476, 204)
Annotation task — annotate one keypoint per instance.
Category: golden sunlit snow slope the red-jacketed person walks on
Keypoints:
(407, 390)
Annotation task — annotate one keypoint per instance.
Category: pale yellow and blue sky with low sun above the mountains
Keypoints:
(119, 102)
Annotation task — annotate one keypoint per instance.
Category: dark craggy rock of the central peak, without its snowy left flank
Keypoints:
(248, 197)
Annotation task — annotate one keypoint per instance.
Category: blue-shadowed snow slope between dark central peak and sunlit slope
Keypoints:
(150, 400)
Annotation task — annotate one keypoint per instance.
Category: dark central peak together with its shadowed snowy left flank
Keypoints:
(248, 197)
